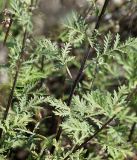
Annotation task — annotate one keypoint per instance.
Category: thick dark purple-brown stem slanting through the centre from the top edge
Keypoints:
(75, 83)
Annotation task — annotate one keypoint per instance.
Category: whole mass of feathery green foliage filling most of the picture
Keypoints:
(36, 109)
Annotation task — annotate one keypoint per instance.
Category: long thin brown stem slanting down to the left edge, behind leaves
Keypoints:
(14, 82)
